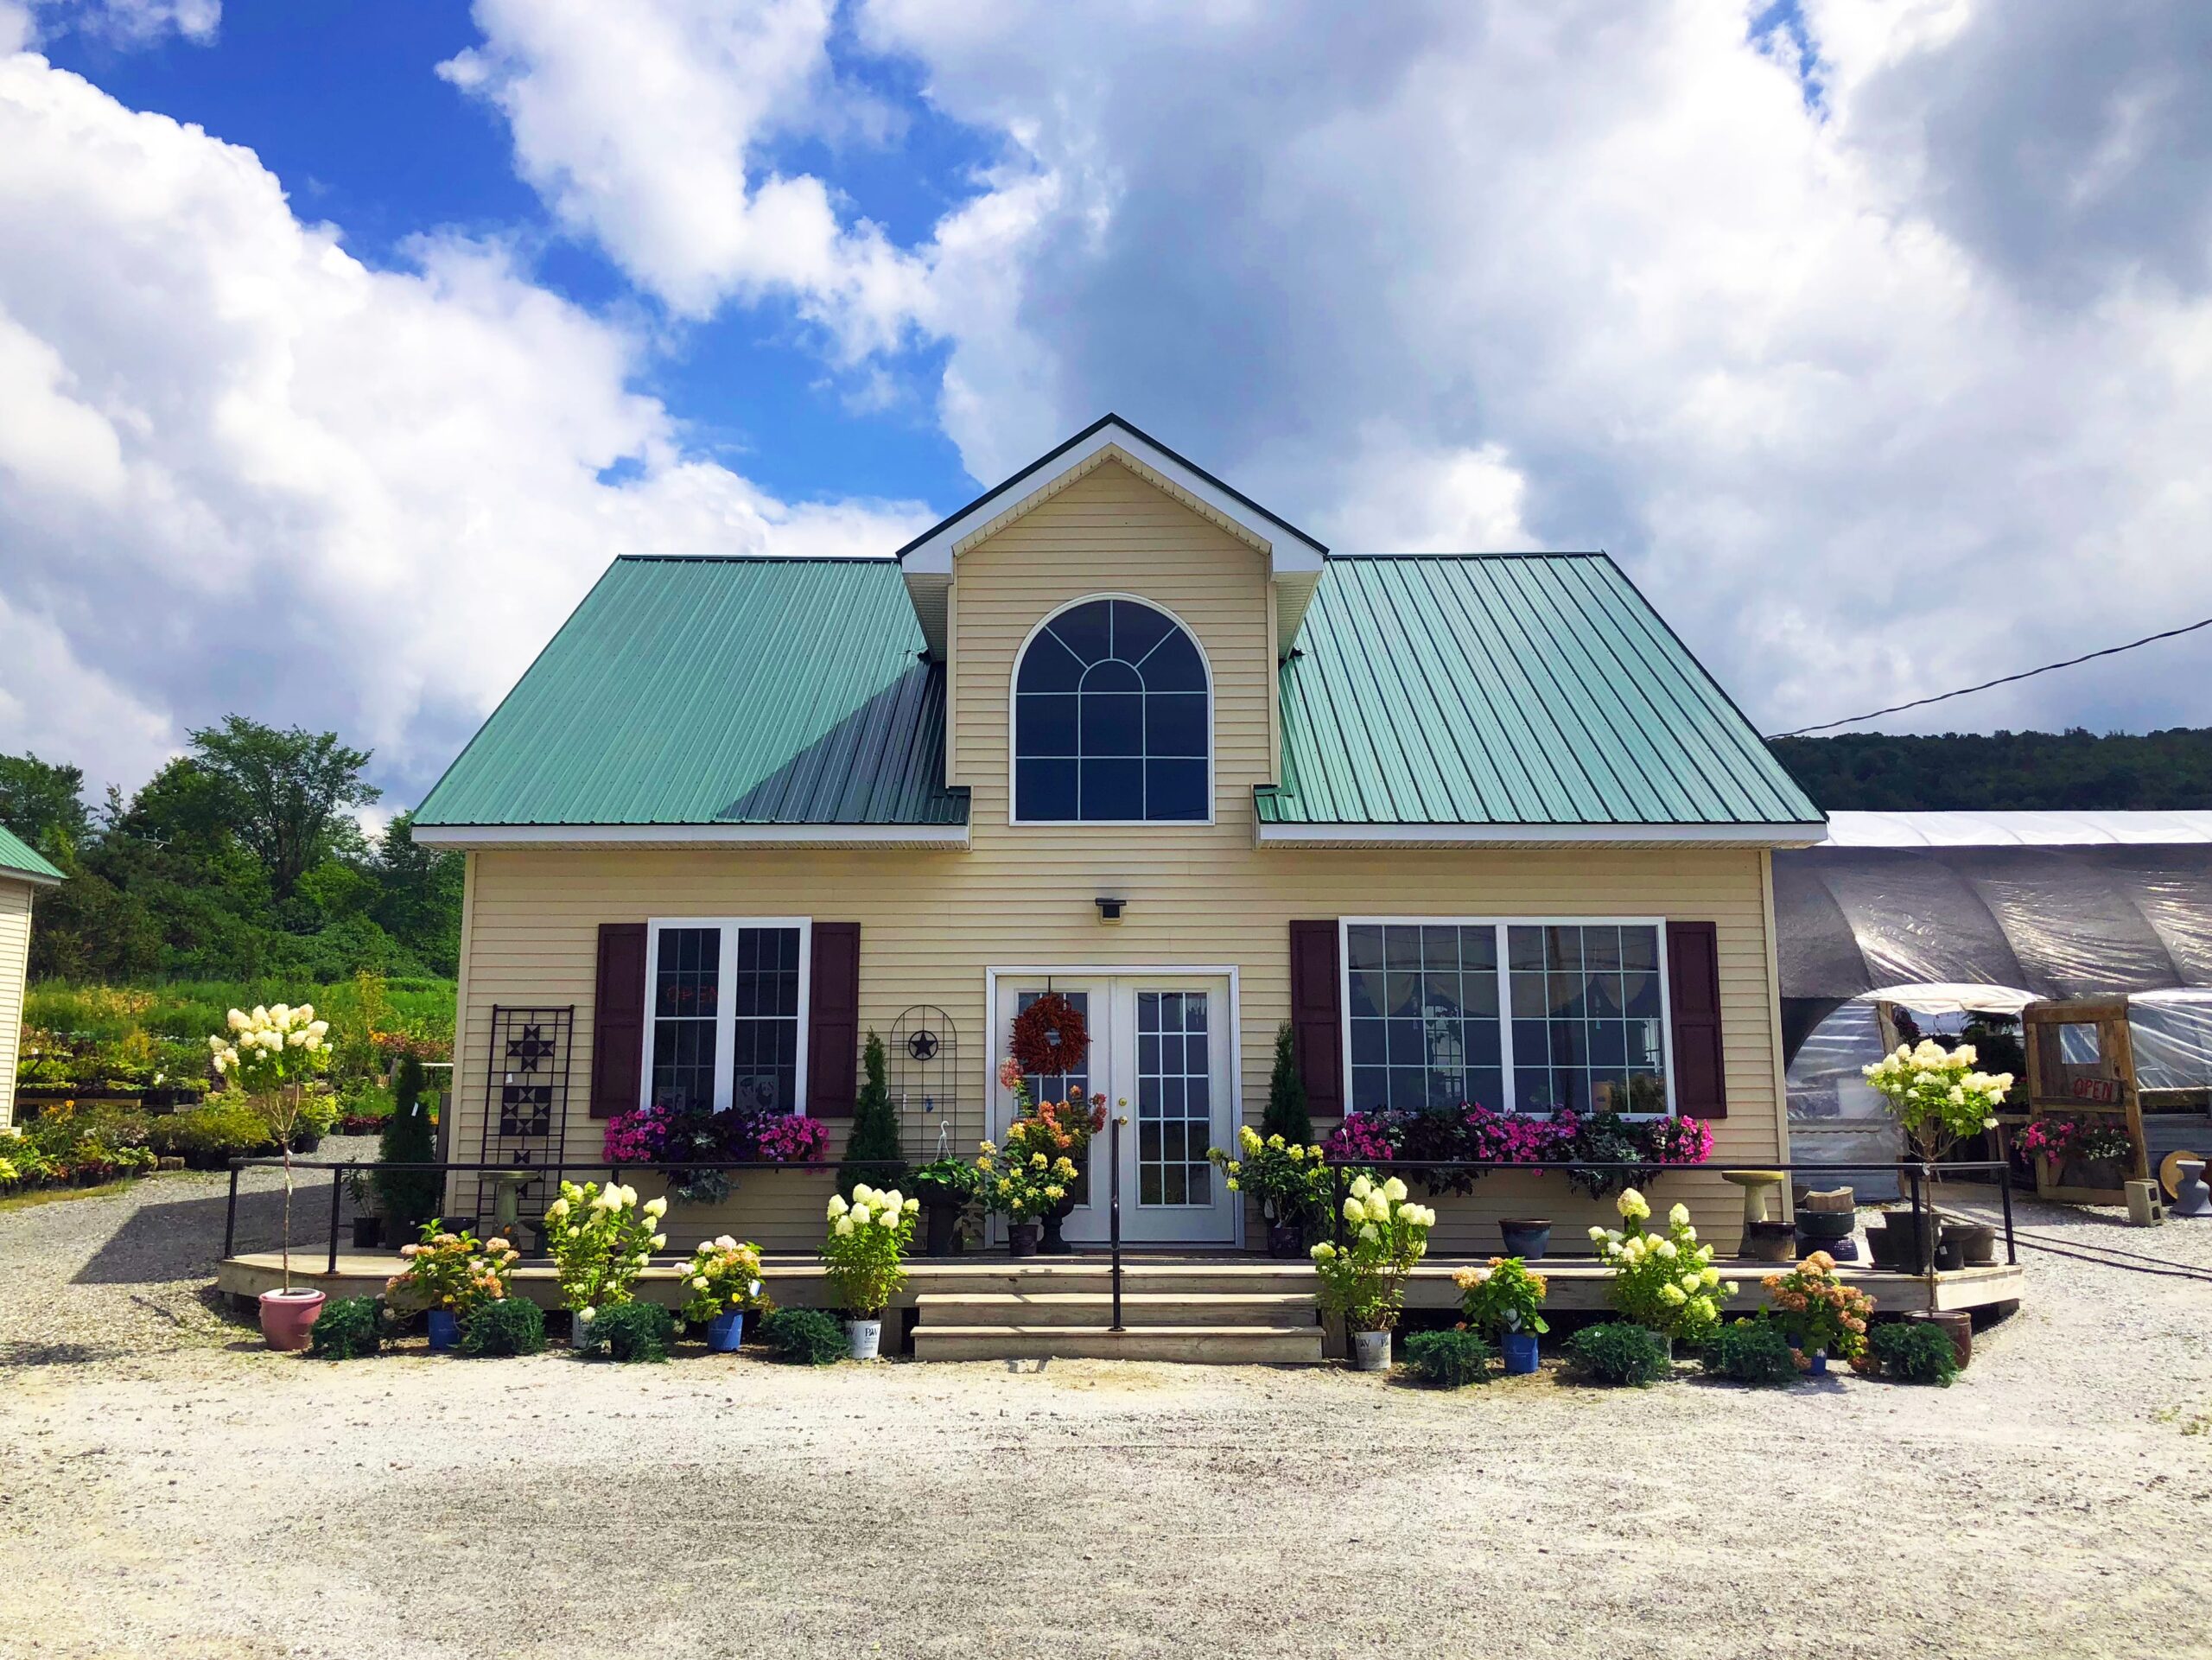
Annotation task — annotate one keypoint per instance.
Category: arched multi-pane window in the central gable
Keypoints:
(1112, 720)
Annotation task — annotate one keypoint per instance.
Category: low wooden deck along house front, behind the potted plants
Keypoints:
(797, 1280)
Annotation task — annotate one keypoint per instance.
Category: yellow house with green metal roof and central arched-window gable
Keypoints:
(1479, 829)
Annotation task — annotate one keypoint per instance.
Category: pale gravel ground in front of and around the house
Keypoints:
(171, 1488)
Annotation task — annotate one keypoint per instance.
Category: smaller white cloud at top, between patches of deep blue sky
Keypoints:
(645, 127)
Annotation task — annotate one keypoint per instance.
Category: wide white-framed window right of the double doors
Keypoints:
(1516, 1015)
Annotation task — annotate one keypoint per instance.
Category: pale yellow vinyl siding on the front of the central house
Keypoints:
(935, 922)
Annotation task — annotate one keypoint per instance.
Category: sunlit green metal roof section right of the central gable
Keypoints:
(1510, 689)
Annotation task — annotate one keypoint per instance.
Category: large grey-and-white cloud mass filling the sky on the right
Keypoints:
(1877, 393)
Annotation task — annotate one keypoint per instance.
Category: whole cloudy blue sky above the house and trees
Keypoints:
(1868, 338)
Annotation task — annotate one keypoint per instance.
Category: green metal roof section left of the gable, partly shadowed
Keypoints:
(718, 692)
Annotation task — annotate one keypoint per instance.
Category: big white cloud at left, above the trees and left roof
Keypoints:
(244, 473)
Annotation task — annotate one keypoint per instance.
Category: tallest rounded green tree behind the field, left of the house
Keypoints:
(291, 793)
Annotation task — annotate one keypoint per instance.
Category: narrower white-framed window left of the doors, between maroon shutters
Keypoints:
(727, 1013)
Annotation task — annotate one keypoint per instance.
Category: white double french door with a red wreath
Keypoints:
(1165, 1046)
